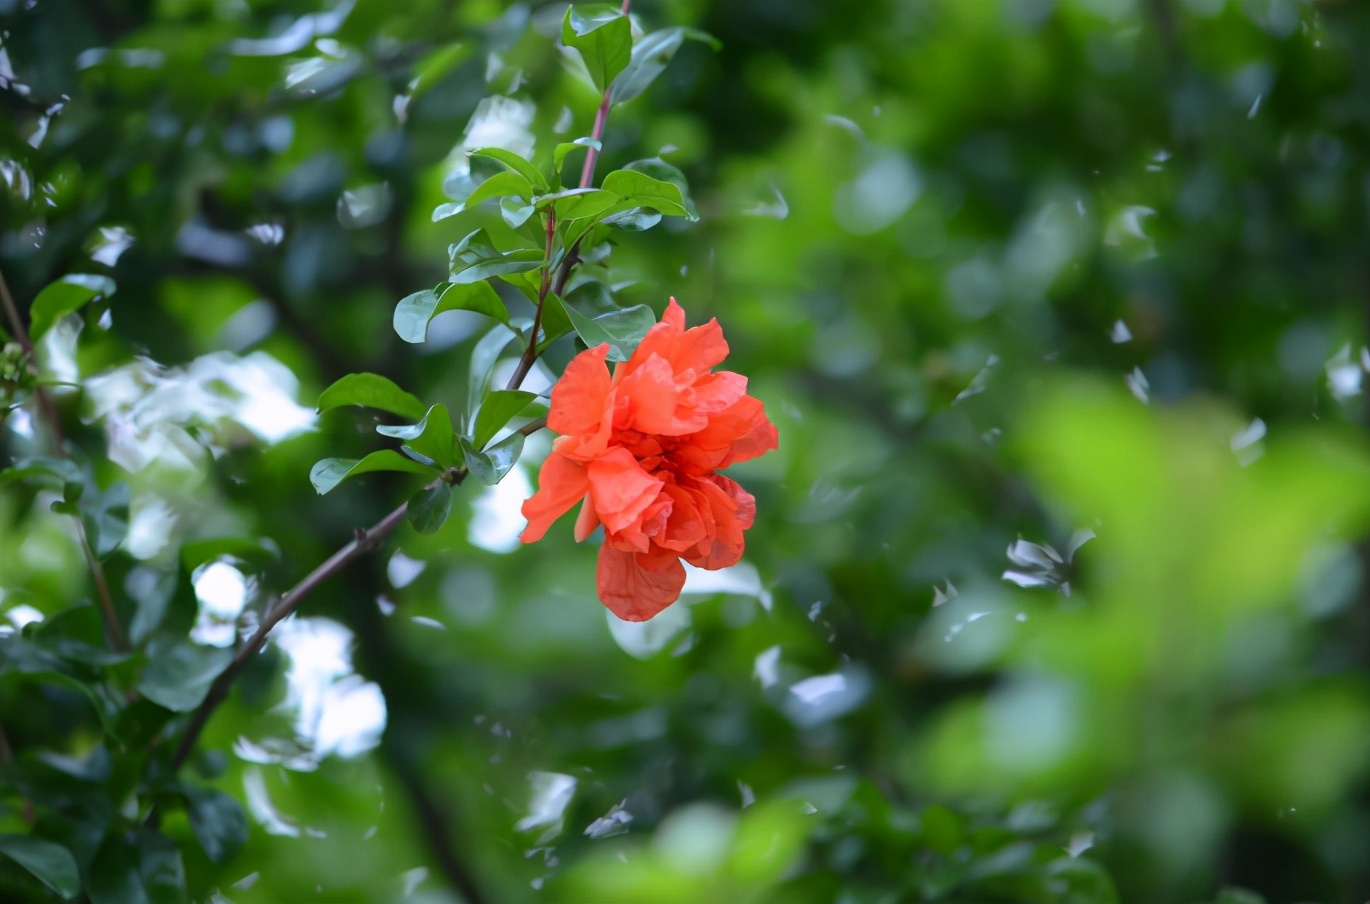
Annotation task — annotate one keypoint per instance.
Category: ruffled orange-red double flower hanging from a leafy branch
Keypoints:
(640, 451)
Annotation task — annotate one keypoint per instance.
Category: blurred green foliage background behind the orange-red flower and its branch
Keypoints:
(1002, 271)
